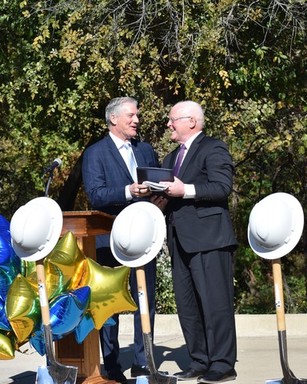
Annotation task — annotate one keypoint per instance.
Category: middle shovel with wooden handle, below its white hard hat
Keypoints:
(155, 376)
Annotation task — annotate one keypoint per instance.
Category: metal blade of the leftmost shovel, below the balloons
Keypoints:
(57, 375)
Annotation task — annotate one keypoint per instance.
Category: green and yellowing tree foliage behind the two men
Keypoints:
(245, 62)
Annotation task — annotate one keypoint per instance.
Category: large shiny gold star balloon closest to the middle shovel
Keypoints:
(109, 290)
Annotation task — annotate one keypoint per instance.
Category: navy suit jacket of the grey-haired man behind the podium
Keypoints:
(105, 173)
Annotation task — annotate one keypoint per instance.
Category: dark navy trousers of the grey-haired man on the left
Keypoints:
(109, 334)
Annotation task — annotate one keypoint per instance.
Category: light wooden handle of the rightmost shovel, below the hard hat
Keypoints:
(279, 295)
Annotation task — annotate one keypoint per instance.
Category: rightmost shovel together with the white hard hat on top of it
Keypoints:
(275, 226)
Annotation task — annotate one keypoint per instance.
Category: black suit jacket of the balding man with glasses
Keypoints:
(203, 223)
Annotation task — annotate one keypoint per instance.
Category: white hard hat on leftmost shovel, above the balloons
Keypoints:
(35, 228)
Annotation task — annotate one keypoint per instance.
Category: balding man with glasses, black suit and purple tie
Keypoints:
(201, 243)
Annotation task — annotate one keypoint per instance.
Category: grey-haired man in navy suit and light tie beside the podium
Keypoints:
(110, 187)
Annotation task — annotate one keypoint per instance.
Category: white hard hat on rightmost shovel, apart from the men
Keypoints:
(275, 225)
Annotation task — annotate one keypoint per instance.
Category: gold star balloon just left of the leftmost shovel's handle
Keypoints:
(22, 308)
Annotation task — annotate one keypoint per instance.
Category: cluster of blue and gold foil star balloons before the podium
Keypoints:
(82, 294)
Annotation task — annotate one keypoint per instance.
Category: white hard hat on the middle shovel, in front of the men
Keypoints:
(137, 234)
